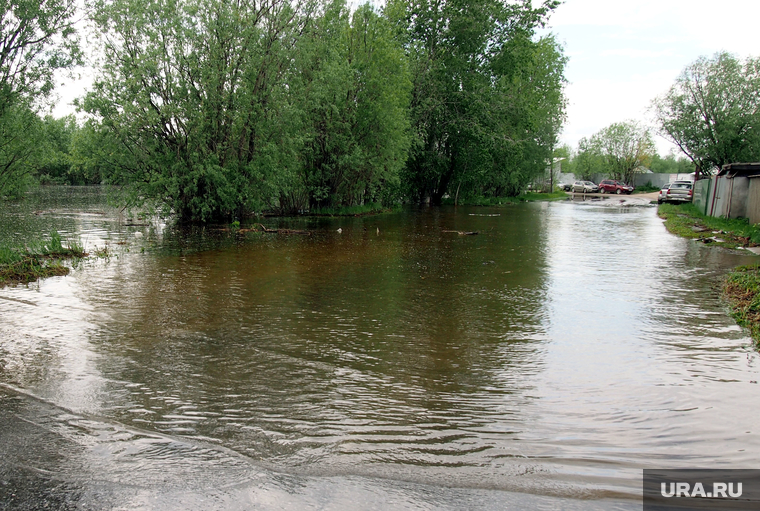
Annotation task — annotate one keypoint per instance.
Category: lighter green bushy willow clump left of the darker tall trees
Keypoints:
(214, 109)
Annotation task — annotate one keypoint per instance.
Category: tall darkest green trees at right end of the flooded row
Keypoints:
(487, 97)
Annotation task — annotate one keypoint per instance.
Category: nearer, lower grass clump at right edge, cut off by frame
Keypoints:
(742, 291)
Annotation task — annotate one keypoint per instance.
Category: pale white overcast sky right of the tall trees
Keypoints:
(625, 53)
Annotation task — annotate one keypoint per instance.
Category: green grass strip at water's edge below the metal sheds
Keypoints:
(687, 221)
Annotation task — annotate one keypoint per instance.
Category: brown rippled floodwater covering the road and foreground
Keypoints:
(542, 363)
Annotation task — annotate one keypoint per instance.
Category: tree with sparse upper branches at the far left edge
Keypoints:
(37, 39)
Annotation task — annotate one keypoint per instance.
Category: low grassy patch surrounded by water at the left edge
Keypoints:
(42, 259)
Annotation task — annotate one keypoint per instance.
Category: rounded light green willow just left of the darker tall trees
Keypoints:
(351, 86)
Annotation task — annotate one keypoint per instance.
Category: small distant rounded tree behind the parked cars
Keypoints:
(623, 148)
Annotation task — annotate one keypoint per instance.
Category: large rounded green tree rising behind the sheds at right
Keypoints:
(712, 111)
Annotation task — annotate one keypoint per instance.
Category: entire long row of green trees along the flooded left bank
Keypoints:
(209, 110)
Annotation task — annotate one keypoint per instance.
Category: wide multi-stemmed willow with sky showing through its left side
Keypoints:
(192, 93)
